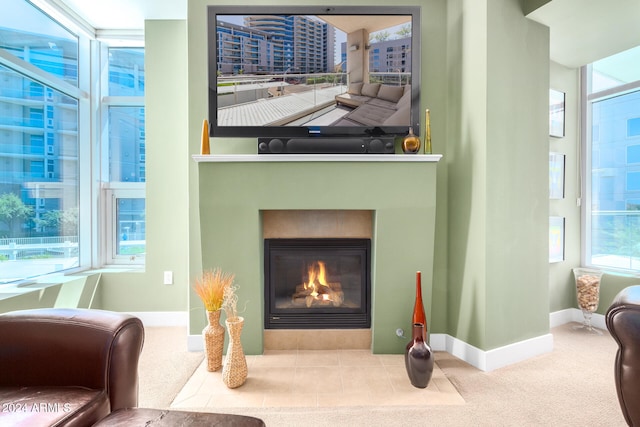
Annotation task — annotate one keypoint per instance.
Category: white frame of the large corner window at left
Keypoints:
(94, 190)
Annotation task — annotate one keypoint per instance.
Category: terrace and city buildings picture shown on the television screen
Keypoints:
(312, 70)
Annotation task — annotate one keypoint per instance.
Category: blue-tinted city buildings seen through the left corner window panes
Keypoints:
(41, 148)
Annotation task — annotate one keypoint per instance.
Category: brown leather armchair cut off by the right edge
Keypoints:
(623, 322)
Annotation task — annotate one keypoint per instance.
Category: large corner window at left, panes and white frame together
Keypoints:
(52, 209)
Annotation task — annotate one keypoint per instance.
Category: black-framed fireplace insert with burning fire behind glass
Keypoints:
(317, 283)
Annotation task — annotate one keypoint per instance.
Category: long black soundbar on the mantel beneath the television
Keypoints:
(324, 145)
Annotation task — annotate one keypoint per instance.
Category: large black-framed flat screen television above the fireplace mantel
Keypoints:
(286, 71)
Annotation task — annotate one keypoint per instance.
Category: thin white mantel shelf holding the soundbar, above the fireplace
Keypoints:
(243, 158)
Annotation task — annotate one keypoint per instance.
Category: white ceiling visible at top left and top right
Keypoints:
(582, 31)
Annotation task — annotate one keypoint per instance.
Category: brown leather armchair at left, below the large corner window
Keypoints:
(67, 367)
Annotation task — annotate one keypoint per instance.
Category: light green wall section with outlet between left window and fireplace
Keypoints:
(168, 160)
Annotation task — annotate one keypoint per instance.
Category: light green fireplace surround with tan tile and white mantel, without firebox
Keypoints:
(388, 198)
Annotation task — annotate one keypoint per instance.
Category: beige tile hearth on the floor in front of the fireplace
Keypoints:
(317, 378)
